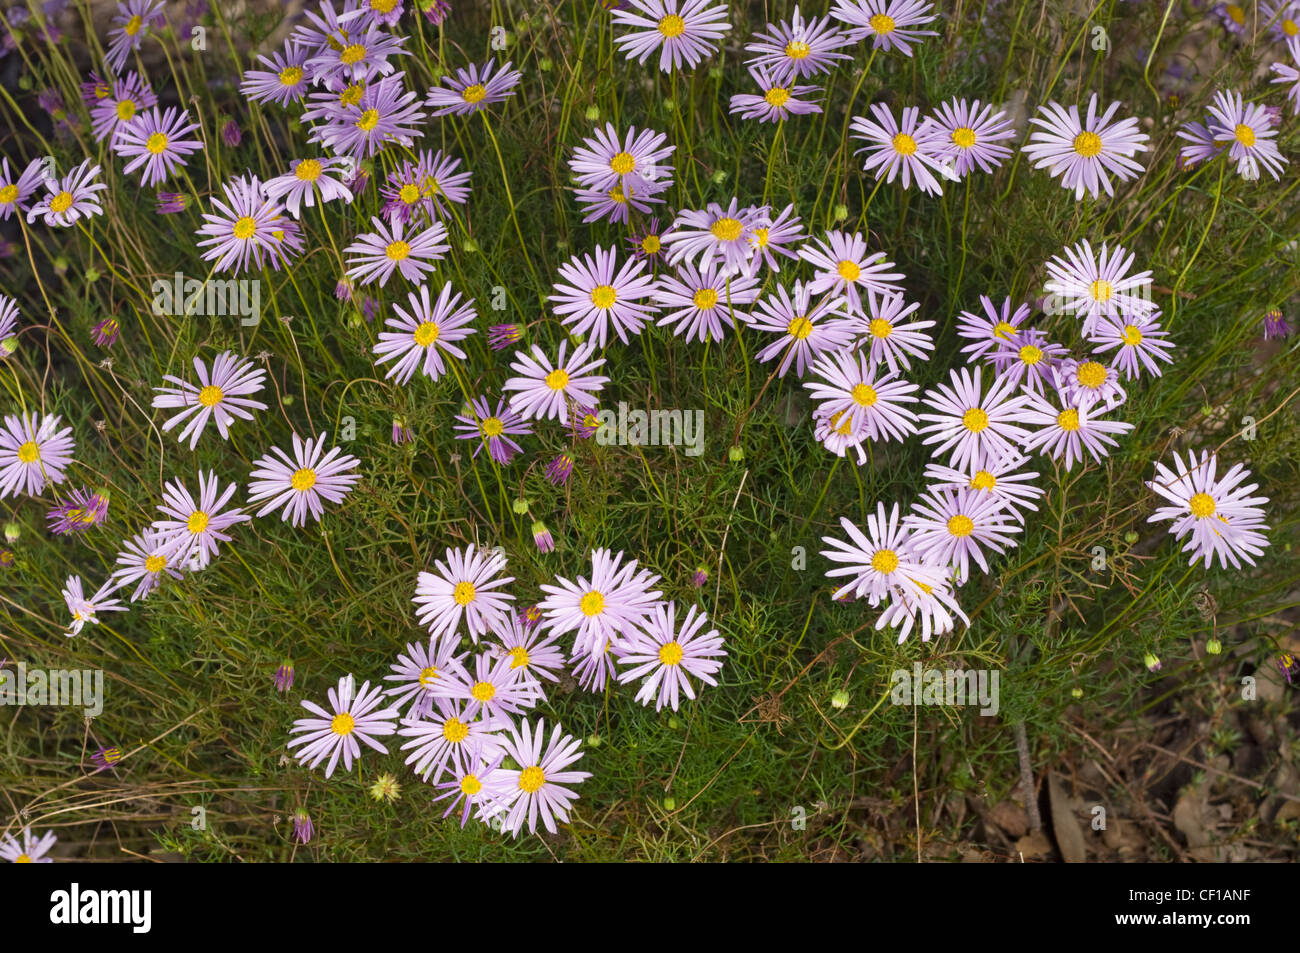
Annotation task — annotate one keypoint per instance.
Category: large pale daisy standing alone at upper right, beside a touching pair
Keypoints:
(1084, 150)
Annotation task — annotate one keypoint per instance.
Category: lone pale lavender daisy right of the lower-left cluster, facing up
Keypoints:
(301, 483)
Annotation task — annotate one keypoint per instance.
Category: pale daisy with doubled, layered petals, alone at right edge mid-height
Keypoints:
(1219, 513)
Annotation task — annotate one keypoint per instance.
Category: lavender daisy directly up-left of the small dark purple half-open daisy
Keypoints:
(424, 333)
